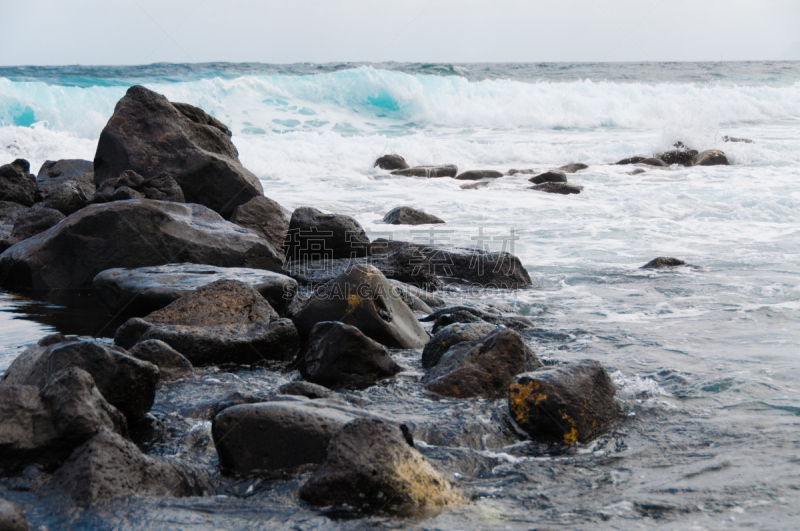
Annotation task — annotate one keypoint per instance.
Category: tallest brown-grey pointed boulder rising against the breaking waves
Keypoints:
(151, 136)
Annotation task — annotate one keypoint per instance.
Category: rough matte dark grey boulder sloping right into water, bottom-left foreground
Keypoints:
(108, 466)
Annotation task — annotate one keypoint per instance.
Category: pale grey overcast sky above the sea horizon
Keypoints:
(146, 31)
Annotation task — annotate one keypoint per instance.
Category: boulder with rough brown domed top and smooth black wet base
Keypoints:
(223, 322)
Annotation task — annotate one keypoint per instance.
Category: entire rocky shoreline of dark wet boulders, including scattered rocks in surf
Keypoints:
(175, 237)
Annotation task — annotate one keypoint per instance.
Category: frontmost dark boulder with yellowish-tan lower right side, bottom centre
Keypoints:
(371, 466)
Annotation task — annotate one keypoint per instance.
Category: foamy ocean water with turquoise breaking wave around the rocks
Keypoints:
(706, 357)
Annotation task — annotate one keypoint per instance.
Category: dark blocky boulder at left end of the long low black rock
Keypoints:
(313, 235)
